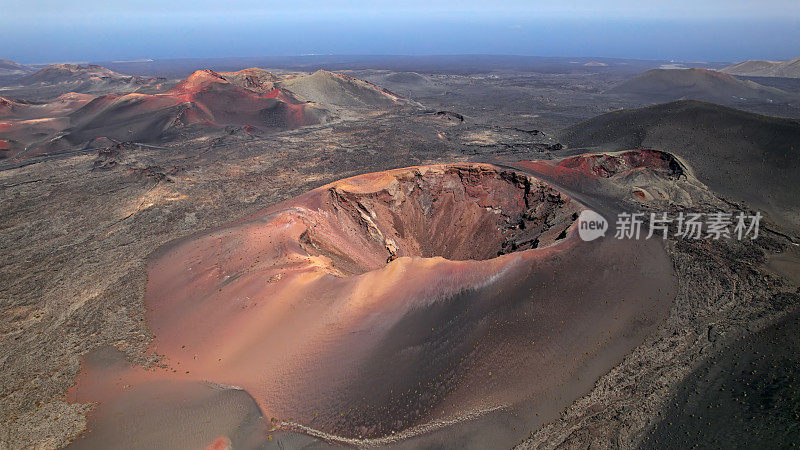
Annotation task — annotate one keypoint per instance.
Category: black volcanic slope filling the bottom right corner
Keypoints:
(747, 396)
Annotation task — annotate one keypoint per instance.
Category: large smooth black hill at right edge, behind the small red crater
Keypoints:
(744, 156)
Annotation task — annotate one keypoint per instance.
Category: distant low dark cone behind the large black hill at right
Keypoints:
(699, 84)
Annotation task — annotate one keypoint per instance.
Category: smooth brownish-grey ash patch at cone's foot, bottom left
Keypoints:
(161, 413)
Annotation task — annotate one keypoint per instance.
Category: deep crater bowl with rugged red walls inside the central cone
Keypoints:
(458, 212)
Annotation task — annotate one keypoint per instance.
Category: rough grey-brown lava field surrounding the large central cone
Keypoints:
(77, 228)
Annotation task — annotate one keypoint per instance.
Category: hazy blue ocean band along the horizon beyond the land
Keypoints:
(130, 38)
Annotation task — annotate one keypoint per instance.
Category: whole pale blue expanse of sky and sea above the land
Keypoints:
(39, 31)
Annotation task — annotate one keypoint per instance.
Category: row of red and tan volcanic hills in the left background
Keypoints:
(253, 101)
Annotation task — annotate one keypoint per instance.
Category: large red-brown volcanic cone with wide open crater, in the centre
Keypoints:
(376, 304)
